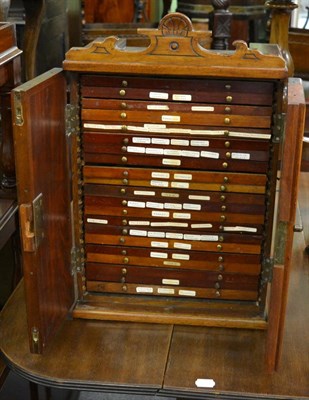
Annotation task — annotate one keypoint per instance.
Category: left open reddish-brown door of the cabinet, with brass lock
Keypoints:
(42, 171)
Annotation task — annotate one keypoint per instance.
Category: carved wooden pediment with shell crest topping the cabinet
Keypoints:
(174, 49)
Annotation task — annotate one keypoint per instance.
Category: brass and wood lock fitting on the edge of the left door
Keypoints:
(31, 221)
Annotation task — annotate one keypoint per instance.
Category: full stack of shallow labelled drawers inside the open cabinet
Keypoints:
(178, 187)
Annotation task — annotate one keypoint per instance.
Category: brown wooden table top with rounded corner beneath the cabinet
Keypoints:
(164, 359)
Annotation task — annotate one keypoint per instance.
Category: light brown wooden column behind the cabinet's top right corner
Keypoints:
(279, 32)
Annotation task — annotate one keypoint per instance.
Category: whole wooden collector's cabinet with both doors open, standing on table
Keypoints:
(165, 190)
